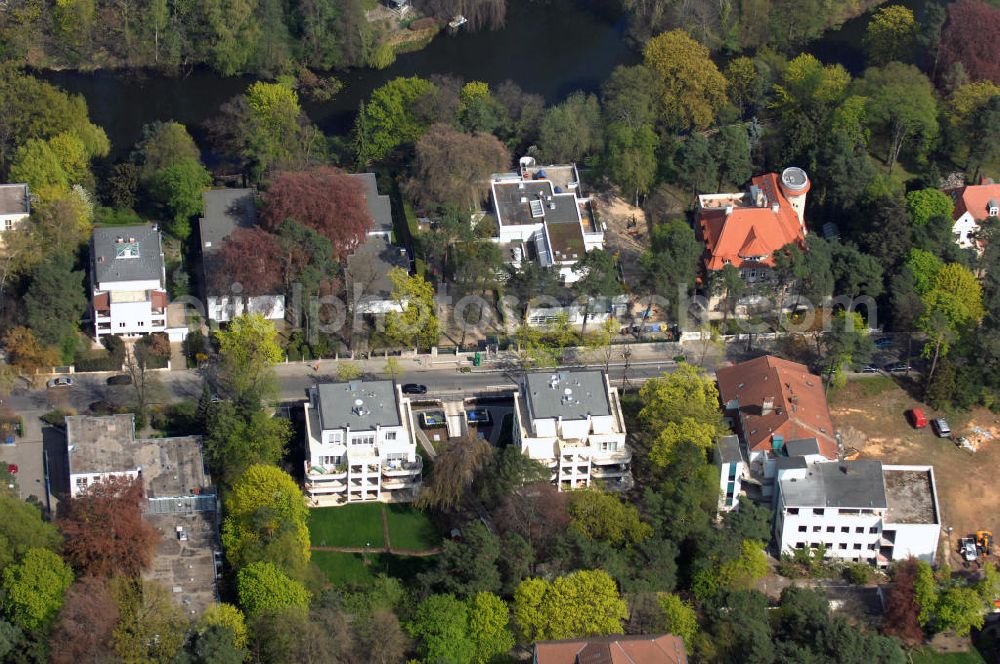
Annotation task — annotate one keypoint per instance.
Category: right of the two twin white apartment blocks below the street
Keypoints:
(572, 421)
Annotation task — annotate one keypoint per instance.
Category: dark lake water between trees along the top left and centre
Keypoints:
(548, 47)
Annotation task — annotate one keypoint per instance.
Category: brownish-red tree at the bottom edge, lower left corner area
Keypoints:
(86, 624)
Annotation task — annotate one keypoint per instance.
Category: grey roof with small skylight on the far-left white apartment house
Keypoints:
(126, 253)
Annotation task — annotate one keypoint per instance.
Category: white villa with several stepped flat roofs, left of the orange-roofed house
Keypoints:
(542, 215)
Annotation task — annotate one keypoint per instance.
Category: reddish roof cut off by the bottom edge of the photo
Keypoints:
(662, 649)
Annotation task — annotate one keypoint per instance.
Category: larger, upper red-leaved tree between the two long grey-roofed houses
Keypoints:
(324, 199)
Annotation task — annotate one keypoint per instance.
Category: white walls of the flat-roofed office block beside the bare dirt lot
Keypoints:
(876, 532)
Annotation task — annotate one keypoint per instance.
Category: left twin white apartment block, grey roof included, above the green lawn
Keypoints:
(360, 444)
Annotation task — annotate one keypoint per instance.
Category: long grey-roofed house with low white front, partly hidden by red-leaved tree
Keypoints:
(225, 211)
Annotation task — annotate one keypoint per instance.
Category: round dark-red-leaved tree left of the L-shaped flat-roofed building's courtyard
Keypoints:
(104, 529)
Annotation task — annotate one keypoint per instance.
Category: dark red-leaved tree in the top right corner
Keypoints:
(970, 38)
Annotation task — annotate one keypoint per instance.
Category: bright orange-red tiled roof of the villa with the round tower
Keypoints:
(750, 230)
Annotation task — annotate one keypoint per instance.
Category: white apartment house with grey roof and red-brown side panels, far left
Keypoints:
(128, 278)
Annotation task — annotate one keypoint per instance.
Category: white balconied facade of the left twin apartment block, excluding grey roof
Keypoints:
(377, 463)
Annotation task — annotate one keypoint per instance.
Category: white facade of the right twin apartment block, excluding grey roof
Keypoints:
(578, 449)
